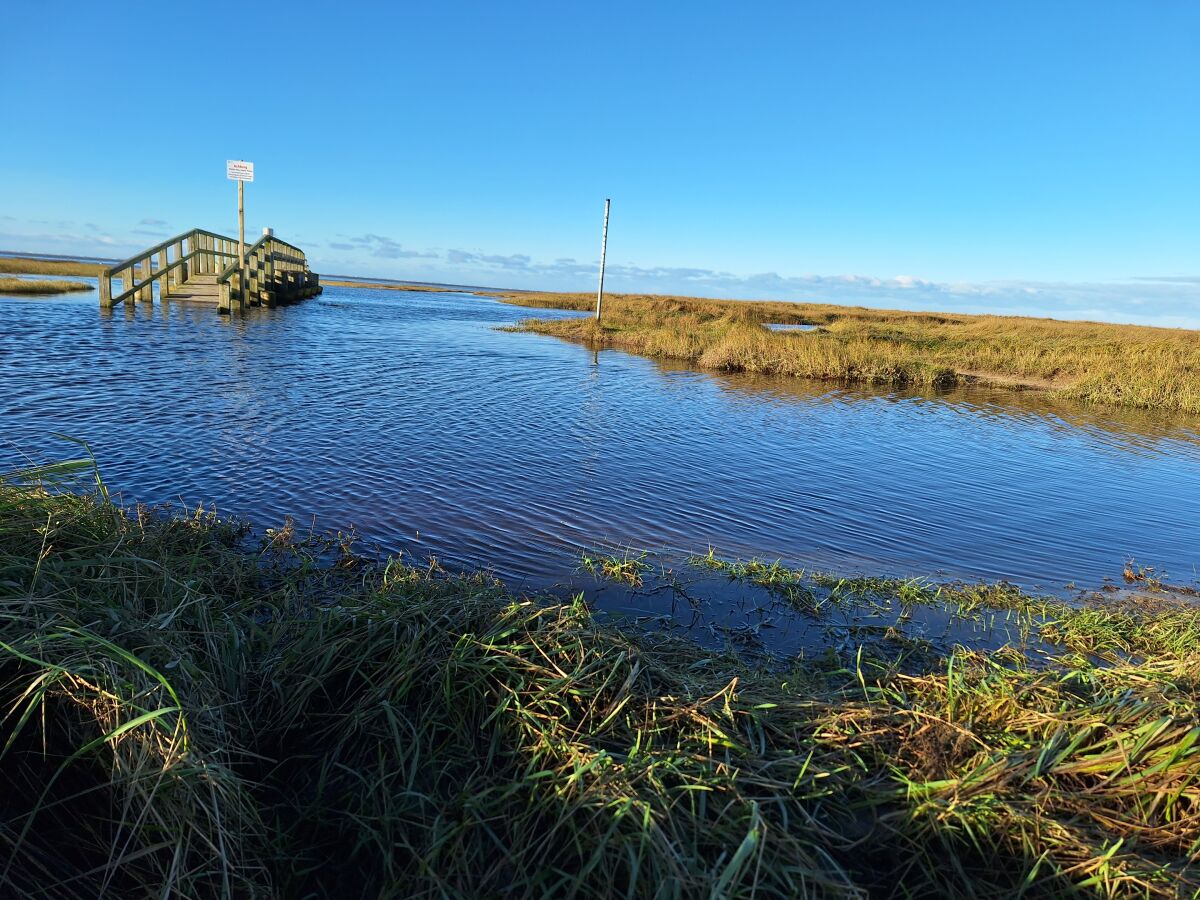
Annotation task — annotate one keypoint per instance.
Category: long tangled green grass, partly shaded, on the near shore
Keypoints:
(191, 715)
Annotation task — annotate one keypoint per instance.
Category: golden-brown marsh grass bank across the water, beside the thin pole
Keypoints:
(1126, 365)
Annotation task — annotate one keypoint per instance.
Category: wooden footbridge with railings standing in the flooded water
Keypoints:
(205, 267)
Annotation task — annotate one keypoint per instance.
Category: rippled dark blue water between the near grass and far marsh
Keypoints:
(411, 418)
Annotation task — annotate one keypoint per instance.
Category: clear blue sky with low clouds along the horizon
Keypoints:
(1017, 158)
